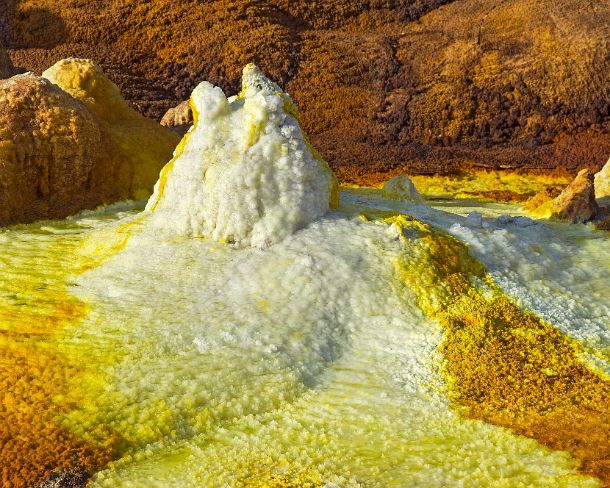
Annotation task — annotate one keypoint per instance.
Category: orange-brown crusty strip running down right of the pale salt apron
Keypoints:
(505, 365)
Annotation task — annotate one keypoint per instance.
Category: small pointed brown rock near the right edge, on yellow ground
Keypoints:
(577, 202)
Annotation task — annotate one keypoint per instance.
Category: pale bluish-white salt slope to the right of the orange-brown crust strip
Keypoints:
(558, 270)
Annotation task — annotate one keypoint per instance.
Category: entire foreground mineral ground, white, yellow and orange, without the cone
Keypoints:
(362, 350)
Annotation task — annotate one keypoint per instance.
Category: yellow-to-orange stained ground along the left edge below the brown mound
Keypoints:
(33, 379)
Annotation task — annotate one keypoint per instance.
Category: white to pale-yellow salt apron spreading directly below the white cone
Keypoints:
(213, 362)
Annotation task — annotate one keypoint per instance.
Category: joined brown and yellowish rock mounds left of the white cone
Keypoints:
(61, 153)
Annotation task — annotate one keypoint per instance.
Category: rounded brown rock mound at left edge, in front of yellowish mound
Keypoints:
(49, 146)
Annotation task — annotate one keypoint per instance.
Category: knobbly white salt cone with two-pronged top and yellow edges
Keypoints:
(245, 173)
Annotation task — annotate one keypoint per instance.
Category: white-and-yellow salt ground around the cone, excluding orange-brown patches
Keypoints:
(219, 366)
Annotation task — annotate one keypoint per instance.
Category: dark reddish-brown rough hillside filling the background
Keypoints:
(421, 85)
